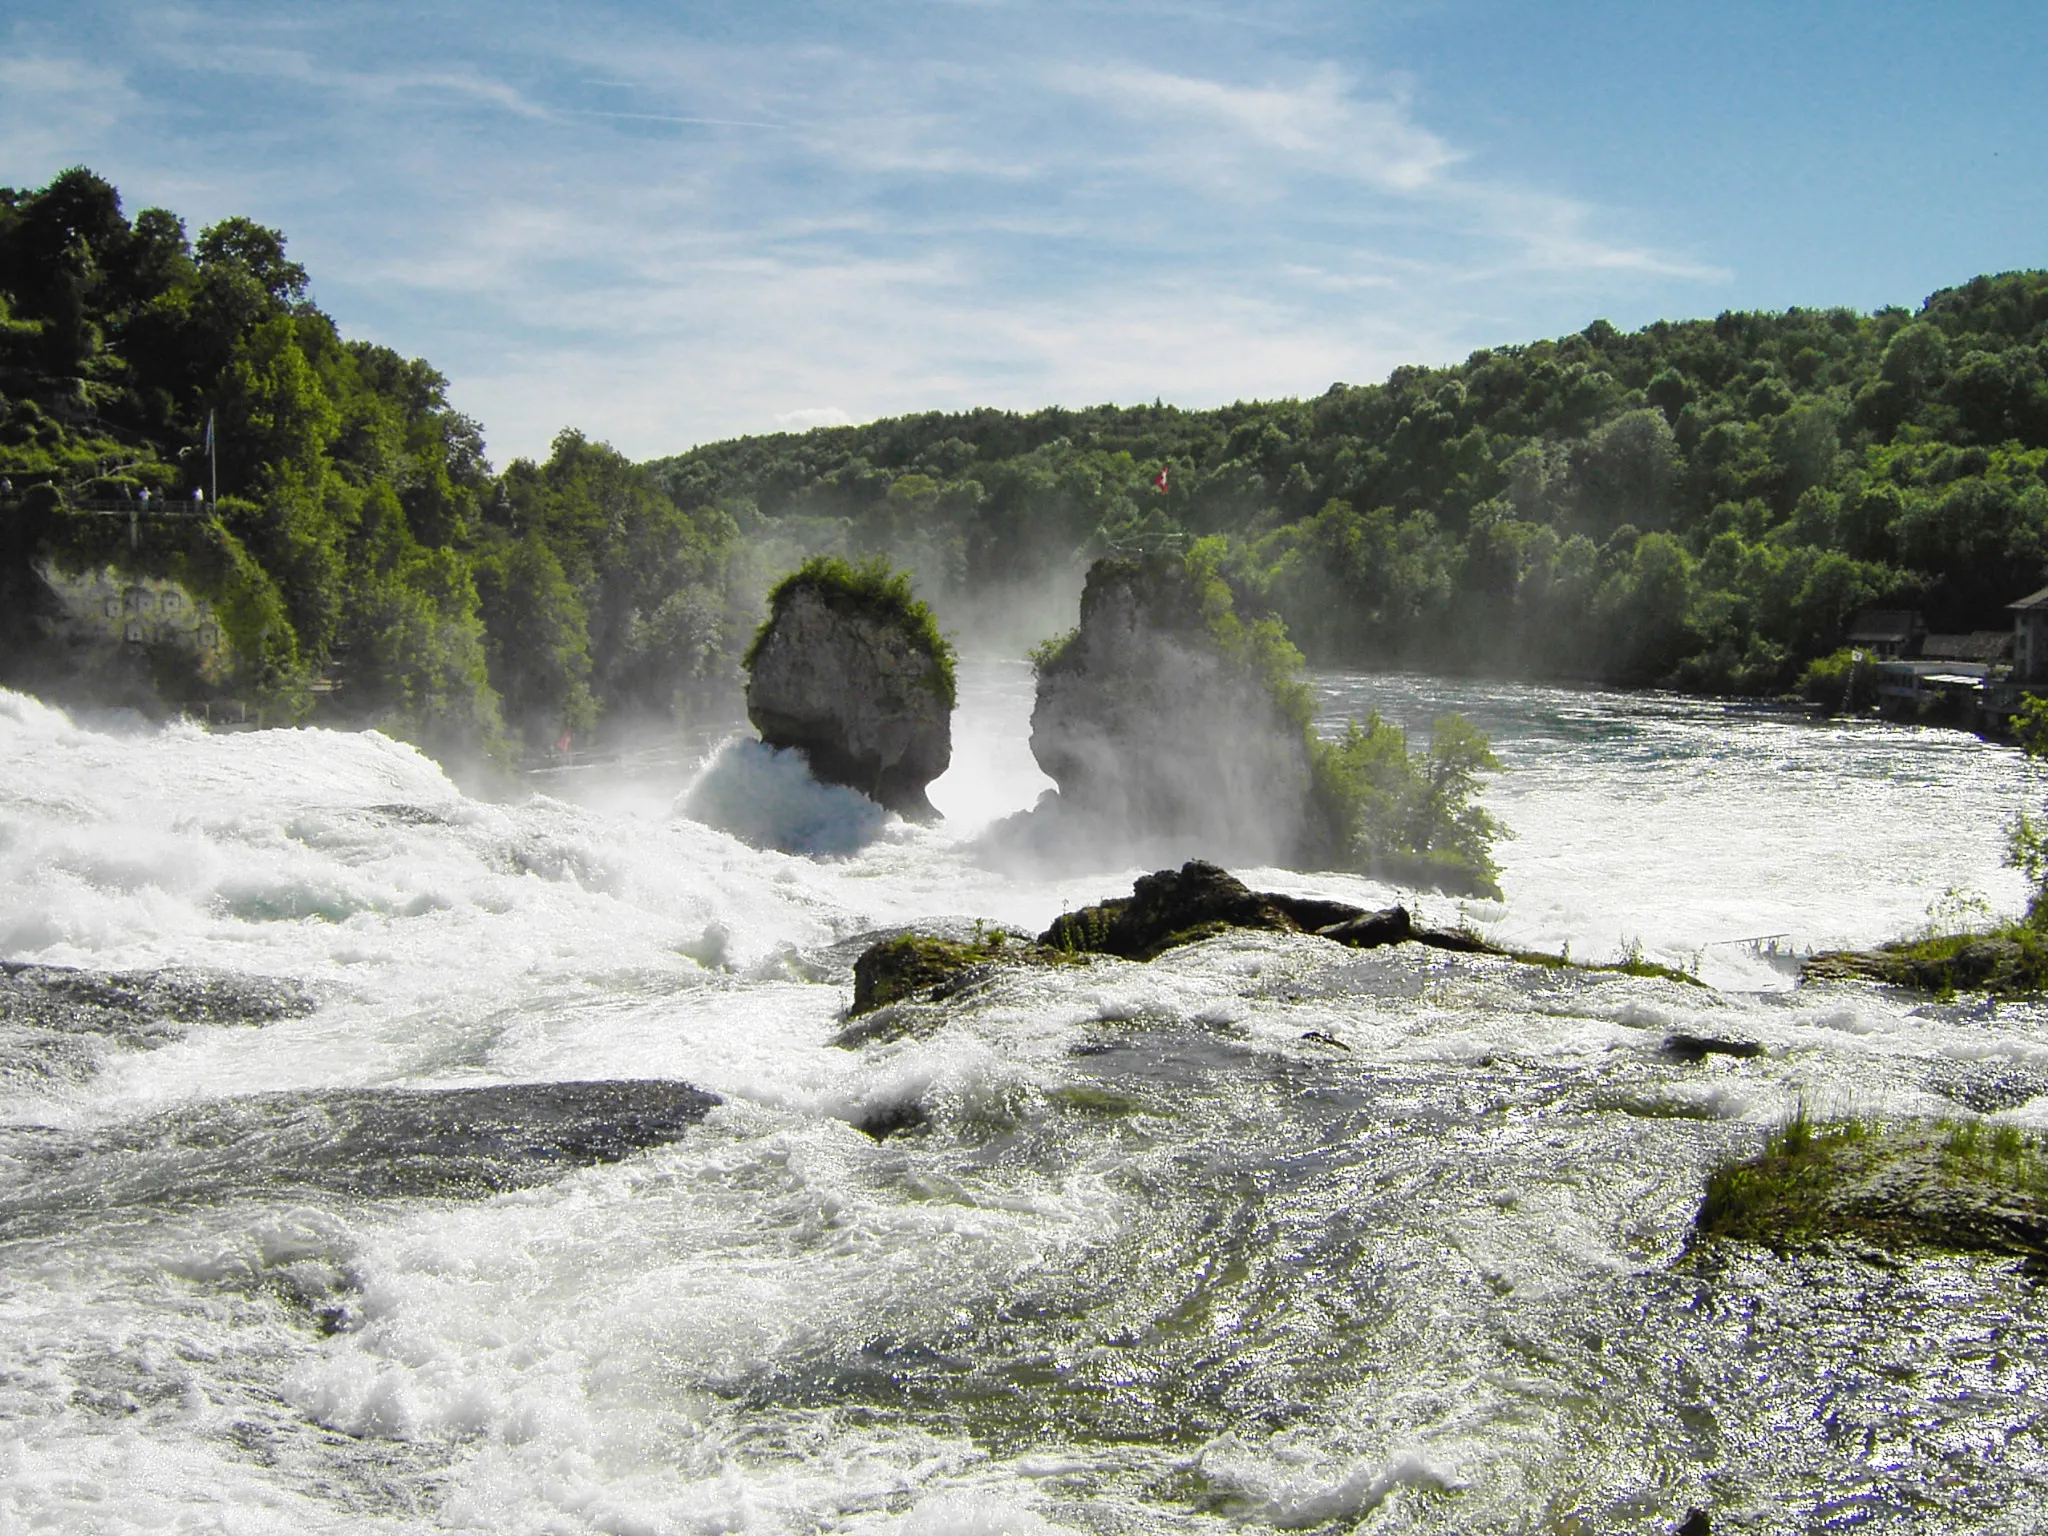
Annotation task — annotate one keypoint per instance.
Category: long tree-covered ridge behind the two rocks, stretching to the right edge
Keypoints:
(1699, 503)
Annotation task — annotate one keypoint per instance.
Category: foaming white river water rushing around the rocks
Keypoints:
(1263, 1236)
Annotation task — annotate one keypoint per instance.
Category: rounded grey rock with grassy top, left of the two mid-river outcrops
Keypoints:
(853, 673)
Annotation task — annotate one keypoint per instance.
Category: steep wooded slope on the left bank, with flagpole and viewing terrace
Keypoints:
(361, 540)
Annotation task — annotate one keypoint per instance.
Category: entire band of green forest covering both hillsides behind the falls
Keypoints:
(1699, 503)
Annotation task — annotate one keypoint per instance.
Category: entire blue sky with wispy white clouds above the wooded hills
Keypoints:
(669, 224)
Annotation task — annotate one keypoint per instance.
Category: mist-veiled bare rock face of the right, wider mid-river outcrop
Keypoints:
(1156, 736)
